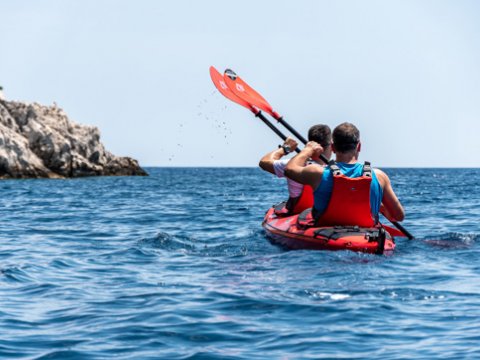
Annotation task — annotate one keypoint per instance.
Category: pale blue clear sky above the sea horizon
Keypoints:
(406, 72)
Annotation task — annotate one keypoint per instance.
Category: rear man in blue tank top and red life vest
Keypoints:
(346, 192)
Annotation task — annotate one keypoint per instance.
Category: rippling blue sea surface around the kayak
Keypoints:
(176, 266)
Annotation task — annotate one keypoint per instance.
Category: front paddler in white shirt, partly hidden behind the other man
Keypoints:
(273, 163)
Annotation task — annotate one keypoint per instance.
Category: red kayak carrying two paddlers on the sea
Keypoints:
(298, 232)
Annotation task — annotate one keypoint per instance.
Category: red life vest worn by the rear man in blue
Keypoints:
(349, 203)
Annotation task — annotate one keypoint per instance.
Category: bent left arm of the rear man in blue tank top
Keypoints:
(307, 175)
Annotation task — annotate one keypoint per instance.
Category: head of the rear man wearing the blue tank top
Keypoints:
(346, 143)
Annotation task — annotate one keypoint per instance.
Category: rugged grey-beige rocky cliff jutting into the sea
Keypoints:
(41, 142)
